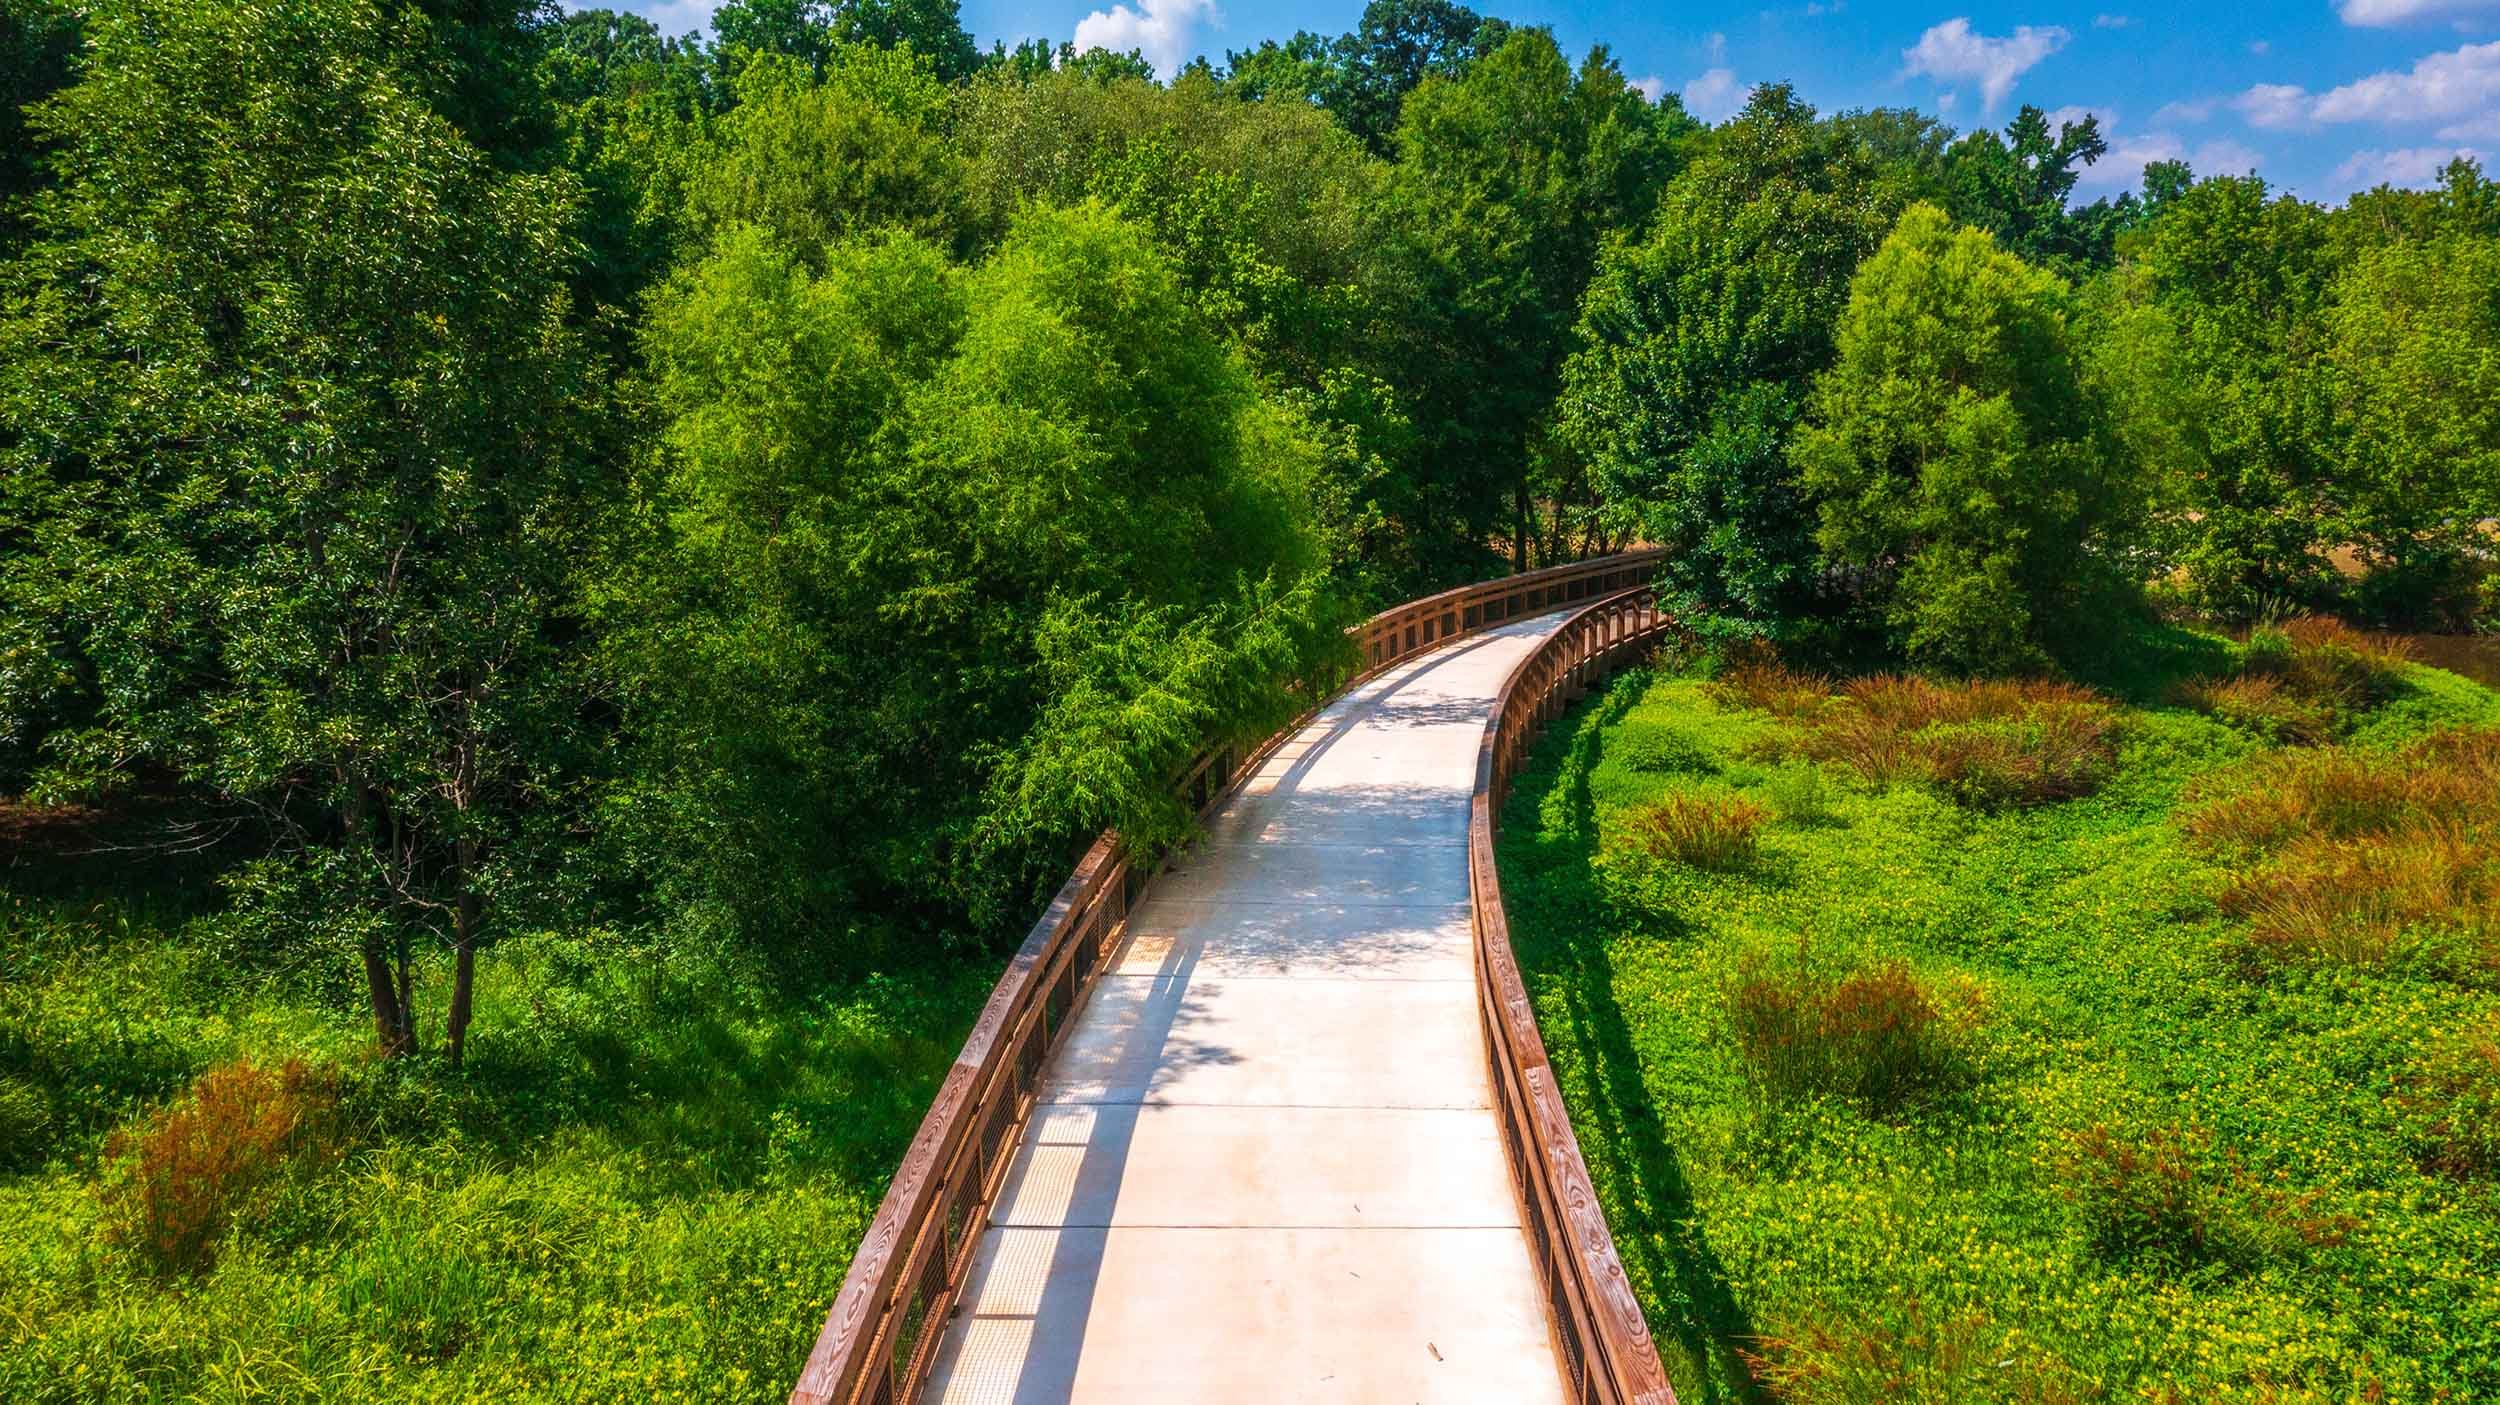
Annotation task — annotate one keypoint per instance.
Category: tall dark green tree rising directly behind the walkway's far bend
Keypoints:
(1509, 181)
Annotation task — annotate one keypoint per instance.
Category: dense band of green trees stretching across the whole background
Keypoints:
(789, 486)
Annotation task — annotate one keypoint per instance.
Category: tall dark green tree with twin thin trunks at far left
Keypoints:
(296, 481)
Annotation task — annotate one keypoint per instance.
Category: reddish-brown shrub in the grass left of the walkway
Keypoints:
(211, 1159)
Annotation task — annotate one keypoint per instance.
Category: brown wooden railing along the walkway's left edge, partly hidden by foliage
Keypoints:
(886, 1321)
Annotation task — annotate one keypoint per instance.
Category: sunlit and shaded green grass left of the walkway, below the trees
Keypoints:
(646, 1186)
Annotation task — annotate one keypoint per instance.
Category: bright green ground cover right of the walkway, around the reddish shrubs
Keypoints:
(1936, 1256)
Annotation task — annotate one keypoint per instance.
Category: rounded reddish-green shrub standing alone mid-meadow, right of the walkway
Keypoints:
(1869, 1034)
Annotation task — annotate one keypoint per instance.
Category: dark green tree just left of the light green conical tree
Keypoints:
(1699, 344)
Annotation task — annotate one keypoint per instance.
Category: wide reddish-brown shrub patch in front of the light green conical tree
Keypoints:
(1981, 744)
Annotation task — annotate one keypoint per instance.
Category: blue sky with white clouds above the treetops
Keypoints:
(2319, 96)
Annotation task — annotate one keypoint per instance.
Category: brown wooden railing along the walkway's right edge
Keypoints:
(1601, 1336)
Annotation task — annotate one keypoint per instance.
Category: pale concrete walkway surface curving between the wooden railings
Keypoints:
(1266, 1161)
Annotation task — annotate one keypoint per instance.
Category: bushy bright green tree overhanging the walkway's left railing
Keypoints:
(946, 569)
